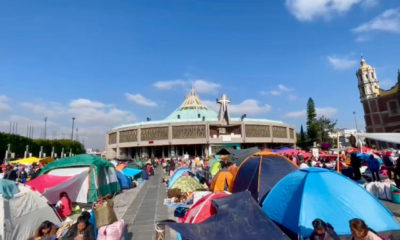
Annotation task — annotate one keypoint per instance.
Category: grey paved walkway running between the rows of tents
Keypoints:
(146, 208)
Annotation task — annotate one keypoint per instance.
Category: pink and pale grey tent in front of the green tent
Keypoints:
(50, 186)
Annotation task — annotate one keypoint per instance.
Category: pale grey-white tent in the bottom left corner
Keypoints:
(22, 214)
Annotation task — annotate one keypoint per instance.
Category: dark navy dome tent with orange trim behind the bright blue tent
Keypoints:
(260, 172)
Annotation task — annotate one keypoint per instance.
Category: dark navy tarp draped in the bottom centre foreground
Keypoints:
(238, 217)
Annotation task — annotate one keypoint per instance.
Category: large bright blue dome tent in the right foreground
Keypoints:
(307, 194)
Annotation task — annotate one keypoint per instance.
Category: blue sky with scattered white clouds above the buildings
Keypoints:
(113, 62)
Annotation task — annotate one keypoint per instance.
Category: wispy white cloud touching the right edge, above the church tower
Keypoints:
(388, 21)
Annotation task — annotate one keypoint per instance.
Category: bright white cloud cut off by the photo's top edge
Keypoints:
(308, 10)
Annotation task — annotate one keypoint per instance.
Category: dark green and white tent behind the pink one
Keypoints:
(101, 177)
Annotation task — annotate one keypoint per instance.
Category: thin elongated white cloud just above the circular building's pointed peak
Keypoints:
(200, 85)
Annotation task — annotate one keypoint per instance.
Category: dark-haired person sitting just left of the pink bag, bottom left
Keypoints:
(81, 230)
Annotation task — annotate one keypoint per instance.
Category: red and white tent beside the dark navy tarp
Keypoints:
(203, 208)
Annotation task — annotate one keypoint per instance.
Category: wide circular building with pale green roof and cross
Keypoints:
(195, 129)
